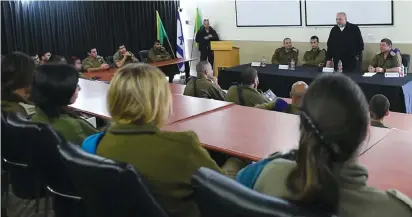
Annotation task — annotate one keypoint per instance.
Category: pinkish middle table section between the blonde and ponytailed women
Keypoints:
(251, 133)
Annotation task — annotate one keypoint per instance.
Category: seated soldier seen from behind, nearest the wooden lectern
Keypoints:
(204, 85)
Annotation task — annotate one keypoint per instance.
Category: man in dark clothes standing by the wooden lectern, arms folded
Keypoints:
(204, 36)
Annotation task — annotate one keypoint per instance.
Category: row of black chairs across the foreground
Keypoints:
(41, 164)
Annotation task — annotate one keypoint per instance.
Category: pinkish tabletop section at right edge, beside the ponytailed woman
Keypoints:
(389, 162)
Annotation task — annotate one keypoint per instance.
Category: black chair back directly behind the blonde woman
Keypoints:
(109, 188)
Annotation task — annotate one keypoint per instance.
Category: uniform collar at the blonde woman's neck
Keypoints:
(133, 129)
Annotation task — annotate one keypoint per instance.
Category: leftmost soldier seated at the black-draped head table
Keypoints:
(285, 54)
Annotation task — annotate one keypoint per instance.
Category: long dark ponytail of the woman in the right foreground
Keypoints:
(312, 182)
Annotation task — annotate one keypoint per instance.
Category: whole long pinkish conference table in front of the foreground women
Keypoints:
(251, 133)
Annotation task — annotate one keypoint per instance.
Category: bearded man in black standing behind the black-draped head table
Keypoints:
(345, 43)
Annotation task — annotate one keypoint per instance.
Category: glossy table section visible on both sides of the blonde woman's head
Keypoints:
(92, 100)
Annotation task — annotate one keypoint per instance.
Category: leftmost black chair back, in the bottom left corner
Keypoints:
(34, 163)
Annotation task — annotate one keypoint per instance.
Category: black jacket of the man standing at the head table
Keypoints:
(346, 44)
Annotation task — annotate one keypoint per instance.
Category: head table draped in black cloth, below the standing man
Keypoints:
(398, 90)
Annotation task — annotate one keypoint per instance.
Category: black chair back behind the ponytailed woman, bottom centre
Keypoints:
(219, 196)
